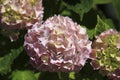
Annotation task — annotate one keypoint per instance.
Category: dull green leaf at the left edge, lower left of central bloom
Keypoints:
(7, 60)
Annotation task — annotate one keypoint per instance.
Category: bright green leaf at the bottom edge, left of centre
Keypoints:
(23, 75)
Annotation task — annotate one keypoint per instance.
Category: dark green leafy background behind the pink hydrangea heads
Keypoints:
(95, 15)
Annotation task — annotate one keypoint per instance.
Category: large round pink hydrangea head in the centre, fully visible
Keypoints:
(58, 44)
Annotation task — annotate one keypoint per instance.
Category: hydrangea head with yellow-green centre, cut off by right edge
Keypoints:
(106, 54)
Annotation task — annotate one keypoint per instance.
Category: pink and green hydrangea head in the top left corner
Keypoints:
(18, 14)
